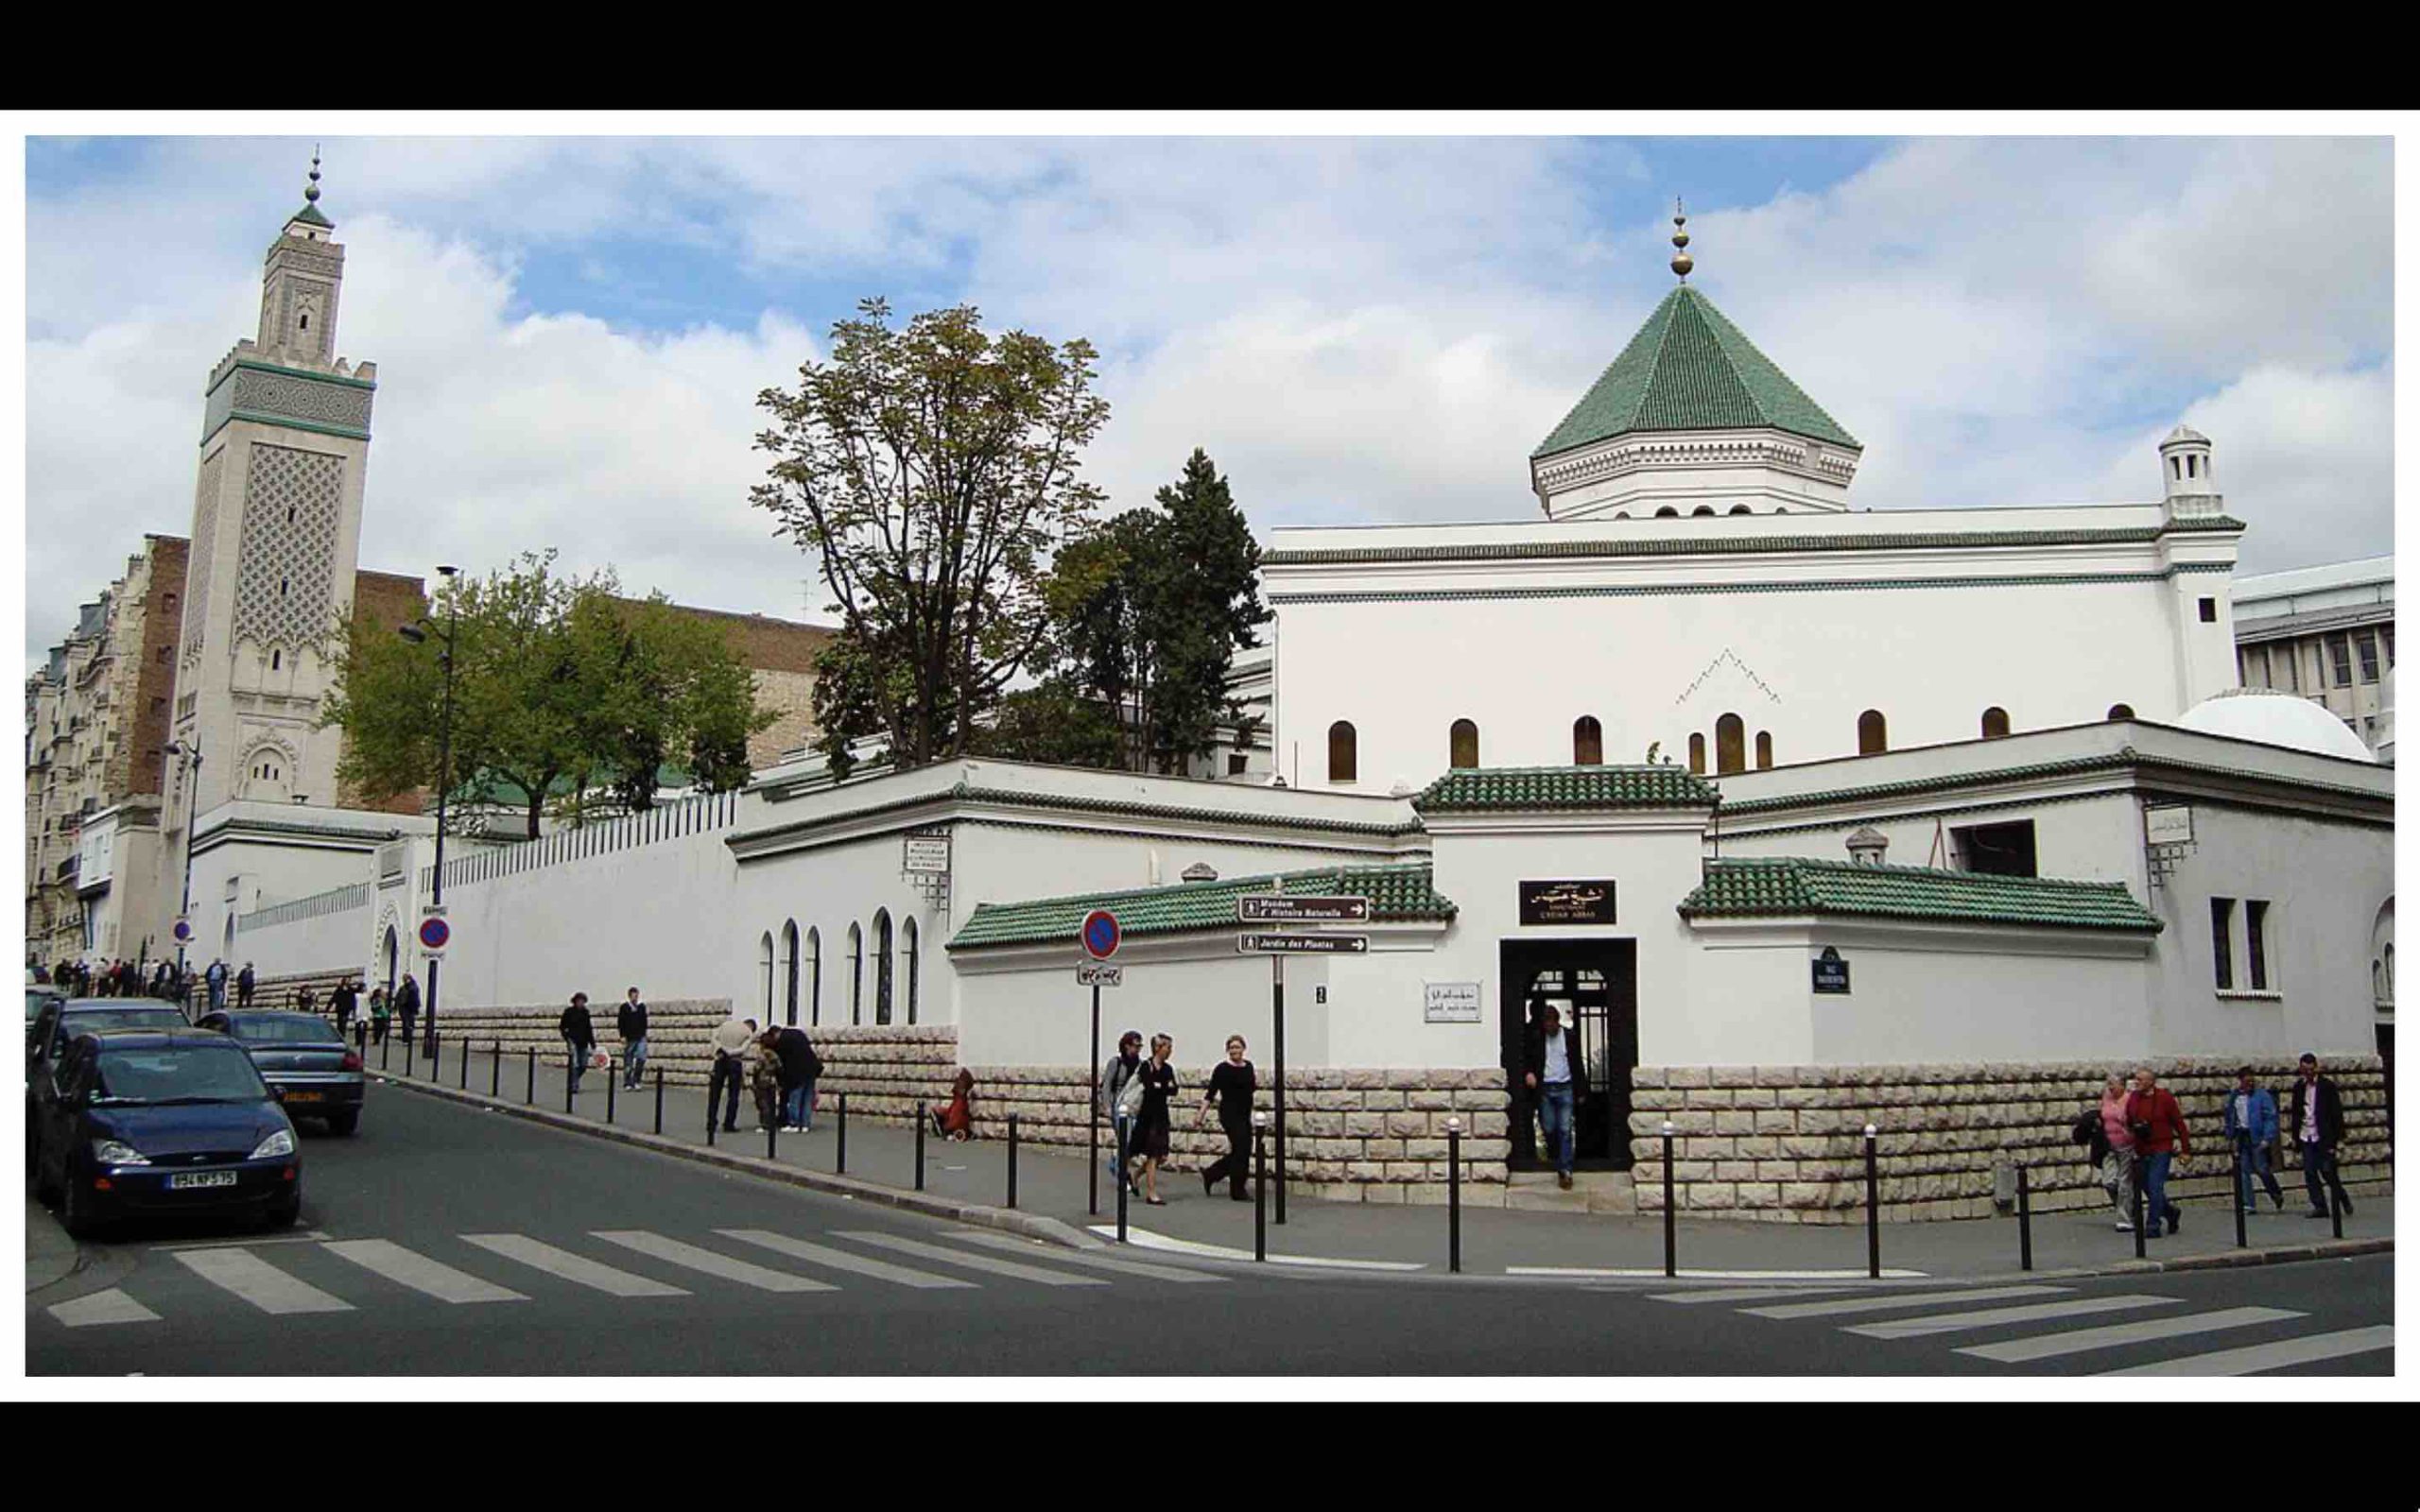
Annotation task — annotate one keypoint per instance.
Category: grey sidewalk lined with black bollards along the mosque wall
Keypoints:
(1383, 1237)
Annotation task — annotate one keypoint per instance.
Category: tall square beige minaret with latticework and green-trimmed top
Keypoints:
(277, 533)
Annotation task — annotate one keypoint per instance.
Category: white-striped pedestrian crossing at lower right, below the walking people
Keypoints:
(2056, 1325)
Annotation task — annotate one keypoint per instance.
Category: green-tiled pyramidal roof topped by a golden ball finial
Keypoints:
(1690, 369)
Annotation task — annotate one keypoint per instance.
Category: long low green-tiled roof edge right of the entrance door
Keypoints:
(1804, 887)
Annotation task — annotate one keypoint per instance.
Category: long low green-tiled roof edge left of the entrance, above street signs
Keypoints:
(1400, 891)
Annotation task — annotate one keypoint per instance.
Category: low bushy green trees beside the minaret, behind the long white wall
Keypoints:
(560, 691)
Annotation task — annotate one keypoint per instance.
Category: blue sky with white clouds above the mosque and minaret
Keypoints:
(572, 330)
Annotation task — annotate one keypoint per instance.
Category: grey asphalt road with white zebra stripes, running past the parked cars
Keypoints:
(446, 1240)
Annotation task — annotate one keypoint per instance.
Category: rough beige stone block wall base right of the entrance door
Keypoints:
(1787, 1143)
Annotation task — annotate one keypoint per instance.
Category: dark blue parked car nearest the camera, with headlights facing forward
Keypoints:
(163, 1124)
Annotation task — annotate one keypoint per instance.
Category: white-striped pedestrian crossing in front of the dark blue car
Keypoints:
(284, 1279)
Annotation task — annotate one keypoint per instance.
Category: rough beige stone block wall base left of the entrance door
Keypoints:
(1364, 1136)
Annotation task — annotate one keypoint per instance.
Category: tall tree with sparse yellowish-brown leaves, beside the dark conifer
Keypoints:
(933, 475)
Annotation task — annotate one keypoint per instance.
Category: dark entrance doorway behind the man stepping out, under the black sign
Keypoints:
(1594, 986)
